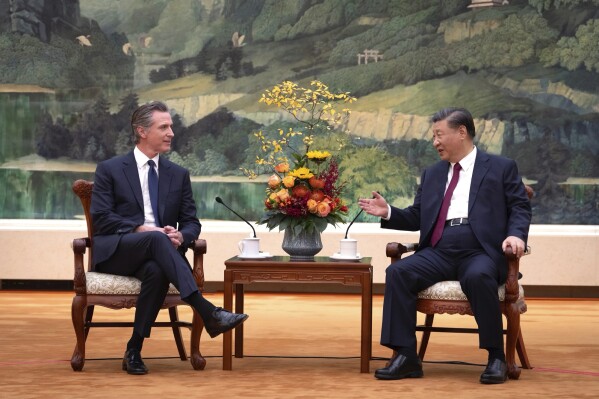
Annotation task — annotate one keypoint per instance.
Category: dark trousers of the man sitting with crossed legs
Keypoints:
(152, 258)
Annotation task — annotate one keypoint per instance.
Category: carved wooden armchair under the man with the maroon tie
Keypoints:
(448, 297)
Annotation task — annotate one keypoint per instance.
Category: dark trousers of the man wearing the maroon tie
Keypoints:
(457, 256)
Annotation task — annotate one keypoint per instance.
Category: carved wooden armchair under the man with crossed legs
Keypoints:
(118, 292)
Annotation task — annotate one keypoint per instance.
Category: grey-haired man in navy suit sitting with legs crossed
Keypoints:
(144, 219)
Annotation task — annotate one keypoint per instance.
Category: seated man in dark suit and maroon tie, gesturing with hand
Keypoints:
(470, 207)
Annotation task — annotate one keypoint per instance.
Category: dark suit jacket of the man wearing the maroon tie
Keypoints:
(498, 206)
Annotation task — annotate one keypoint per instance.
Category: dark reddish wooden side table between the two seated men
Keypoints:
(239, 272)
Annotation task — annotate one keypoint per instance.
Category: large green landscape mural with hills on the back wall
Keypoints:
(72, 71)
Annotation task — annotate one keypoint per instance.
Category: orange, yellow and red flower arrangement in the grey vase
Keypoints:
(304, 194)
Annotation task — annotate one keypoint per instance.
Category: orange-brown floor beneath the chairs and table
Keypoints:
(297, 346)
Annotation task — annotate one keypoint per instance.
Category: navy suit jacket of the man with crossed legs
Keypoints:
(117, 203)
